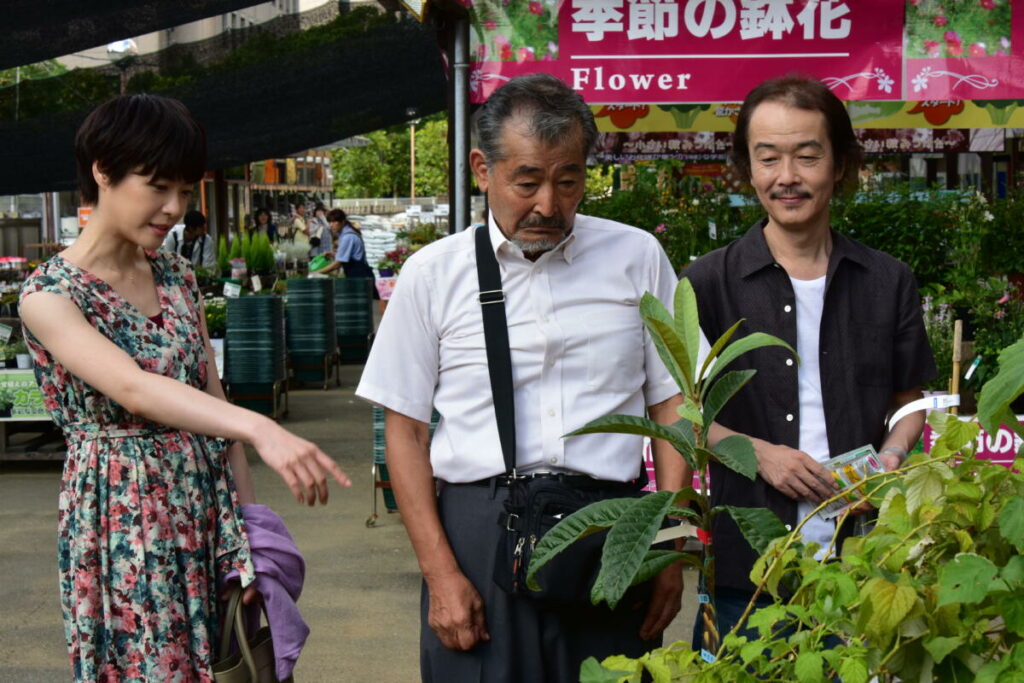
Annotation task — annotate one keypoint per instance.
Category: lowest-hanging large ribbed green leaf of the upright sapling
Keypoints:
(628, 543)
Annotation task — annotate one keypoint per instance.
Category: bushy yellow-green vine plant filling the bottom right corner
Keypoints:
(932, 592)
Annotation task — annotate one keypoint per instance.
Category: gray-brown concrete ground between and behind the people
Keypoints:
(363, 585)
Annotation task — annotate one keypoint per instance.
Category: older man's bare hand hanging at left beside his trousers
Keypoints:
(456, 612)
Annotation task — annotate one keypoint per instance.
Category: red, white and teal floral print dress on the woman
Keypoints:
(149, 516)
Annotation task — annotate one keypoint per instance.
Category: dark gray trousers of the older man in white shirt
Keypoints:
(529, 645)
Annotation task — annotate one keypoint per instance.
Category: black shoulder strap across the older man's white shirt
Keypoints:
(496, 338)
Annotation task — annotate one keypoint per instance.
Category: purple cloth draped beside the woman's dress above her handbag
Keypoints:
(280, 573)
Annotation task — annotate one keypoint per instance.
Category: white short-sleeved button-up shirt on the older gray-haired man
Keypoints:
(580, 351)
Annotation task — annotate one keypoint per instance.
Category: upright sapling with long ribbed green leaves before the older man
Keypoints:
(633, 524)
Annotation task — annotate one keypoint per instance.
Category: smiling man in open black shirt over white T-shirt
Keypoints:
(854, 314)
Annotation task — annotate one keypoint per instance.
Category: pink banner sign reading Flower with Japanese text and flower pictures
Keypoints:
(660, 55)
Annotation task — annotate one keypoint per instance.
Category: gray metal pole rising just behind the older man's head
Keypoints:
(460, 140)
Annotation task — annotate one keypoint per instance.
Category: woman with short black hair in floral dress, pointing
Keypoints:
(150, 515)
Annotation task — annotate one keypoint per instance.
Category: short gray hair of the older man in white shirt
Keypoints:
(552, 111)
